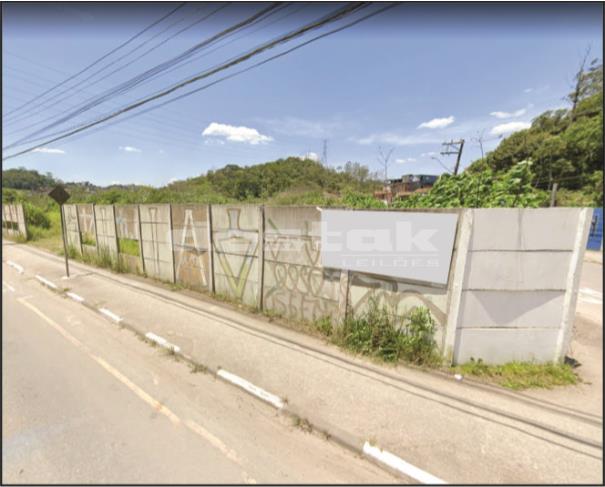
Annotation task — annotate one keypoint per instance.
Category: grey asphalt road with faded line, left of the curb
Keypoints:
(85, 401)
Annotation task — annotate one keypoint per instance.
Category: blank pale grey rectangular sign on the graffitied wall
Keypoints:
(405, 245)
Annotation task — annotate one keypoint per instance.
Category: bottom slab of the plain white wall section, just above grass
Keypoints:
(501, 345)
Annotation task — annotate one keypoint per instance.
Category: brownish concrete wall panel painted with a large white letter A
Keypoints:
(191, 244)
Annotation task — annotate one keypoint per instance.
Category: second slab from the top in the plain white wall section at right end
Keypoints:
(517, 271)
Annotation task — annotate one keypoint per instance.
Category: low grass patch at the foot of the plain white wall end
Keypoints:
(520, 375)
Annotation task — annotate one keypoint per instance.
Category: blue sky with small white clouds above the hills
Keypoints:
(408, 79)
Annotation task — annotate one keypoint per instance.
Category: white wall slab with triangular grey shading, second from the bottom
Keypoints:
(511, 309)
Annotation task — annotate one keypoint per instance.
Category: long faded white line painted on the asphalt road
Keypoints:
(154, 403)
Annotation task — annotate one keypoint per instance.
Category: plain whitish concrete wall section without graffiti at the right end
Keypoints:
(520, 284)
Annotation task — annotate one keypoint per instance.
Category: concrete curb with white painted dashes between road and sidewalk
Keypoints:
(363, 448)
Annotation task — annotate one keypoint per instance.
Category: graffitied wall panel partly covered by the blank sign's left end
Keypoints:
(295, 284)
